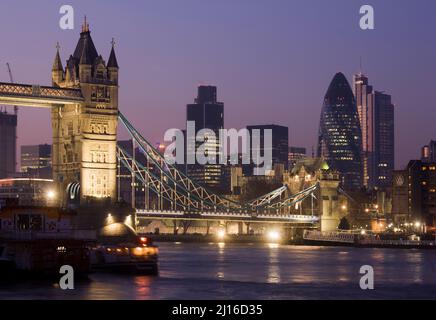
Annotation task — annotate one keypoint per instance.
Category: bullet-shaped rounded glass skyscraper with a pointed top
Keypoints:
(340, 137)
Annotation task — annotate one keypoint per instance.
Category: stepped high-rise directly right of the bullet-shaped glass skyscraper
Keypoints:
(376, 115)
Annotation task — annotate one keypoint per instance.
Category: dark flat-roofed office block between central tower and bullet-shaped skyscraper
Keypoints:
(280, 146)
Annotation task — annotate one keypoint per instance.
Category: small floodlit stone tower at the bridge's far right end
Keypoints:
(329, 200)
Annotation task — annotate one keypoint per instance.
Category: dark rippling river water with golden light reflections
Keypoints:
(256, 271)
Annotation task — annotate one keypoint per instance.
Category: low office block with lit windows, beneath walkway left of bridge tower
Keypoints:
(36, 161)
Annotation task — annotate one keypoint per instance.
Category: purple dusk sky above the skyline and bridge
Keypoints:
(272, 60)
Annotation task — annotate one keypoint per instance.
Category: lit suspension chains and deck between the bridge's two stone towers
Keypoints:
(189, 200)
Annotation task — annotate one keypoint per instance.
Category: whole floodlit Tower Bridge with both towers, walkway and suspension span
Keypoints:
(83, 100)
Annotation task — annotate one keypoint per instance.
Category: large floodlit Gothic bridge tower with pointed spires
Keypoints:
(84, 134)
